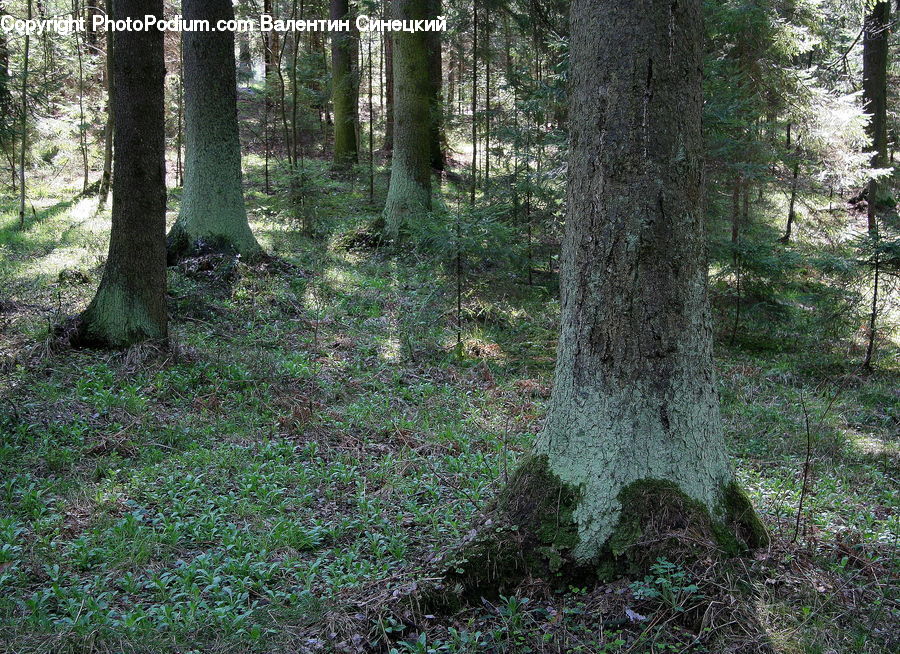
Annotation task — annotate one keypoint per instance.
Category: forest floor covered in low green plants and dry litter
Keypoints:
(280, 478)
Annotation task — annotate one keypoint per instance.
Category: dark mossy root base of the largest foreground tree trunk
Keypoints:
(530, 531)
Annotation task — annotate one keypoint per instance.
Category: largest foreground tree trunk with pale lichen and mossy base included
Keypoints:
(633, 440)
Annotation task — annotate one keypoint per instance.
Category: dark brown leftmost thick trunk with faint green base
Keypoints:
(130, 304)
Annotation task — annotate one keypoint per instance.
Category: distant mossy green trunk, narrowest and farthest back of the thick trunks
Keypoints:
(345, 88)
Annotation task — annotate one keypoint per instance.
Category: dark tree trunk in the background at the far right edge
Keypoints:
(875, 57)
